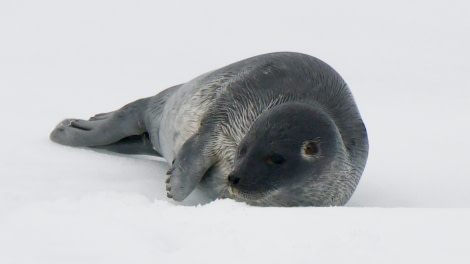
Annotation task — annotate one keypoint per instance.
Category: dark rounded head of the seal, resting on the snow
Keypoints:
(290, 157)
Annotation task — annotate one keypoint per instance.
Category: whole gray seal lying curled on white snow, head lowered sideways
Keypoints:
(279, 129)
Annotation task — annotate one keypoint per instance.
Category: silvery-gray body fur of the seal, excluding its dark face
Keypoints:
(199, 126)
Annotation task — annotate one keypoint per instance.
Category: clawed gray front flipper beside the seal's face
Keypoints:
(189, 167)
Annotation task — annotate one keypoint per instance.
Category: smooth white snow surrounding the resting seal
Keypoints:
(407, 63)
